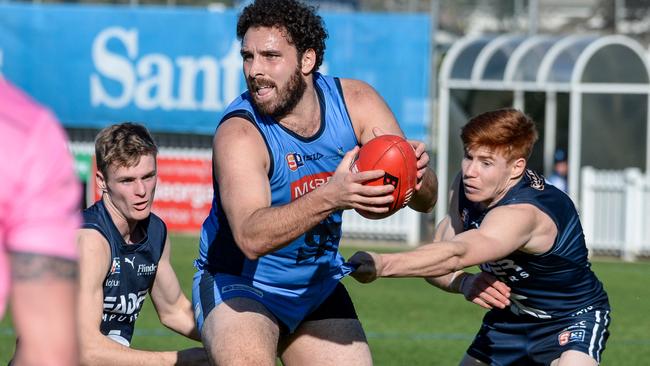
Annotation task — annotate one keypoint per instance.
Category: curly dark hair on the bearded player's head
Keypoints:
(305, 28)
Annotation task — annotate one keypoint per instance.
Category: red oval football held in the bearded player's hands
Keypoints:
(395, 156)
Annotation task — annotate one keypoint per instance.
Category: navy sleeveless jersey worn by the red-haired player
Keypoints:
(550, 285)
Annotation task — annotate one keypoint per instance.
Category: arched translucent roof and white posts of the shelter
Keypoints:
(574, 64)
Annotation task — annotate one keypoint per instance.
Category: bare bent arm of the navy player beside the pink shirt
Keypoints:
(97, 349)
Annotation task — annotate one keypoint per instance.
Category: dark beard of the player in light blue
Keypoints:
(288, 98)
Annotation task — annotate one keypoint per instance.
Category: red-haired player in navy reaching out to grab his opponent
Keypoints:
(526, 234)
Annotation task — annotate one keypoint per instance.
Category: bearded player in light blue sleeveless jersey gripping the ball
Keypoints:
(268, 279)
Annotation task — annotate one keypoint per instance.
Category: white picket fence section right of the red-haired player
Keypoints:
(615, 212)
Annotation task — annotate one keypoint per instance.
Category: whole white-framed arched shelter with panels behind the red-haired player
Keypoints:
(604, 79)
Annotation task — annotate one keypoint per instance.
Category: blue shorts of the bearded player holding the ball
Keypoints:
(289, 305)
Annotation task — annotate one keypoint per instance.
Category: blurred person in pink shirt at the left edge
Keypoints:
(39, 213)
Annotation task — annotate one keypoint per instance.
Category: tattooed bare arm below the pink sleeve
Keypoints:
(43, 307)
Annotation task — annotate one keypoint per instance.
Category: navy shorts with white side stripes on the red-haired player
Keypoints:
(508, 339)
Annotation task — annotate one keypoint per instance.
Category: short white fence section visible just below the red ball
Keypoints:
(404, 225)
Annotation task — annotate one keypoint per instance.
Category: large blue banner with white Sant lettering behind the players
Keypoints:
(177, 69)
